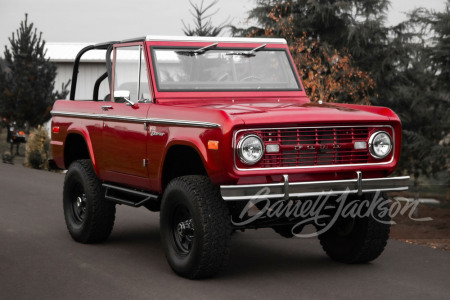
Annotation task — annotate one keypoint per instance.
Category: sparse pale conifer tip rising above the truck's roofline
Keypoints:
(202, 21)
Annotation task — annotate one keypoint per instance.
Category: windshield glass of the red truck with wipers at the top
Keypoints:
(212, 69)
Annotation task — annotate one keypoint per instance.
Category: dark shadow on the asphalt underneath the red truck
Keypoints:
(260, 254)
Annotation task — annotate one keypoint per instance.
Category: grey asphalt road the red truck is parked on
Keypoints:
(39, 260)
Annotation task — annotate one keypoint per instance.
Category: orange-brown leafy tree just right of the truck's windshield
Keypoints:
(328, 74)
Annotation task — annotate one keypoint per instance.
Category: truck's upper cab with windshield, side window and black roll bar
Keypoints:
(192, 65)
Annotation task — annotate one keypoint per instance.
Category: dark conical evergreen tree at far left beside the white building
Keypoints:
(28, 78)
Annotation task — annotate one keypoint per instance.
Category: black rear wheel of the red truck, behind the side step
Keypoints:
(89, 217)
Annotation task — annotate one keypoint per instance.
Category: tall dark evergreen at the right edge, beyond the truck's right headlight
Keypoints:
(422, 96)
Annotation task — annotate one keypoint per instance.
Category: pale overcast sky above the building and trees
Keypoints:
(100, 21)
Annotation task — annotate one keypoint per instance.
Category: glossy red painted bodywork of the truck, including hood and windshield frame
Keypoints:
(118, 148)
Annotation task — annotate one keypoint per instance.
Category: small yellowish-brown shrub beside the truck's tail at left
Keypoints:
(37, 150)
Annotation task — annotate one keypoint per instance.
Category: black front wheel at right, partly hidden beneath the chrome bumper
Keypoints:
(358, 240)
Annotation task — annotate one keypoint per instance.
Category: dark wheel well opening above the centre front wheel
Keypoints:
(180, 161)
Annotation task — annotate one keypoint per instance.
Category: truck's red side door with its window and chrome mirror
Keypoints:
(124, 130)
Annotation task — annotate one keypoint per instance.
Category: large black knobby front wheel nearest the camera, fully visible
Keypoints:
(195, 227)
